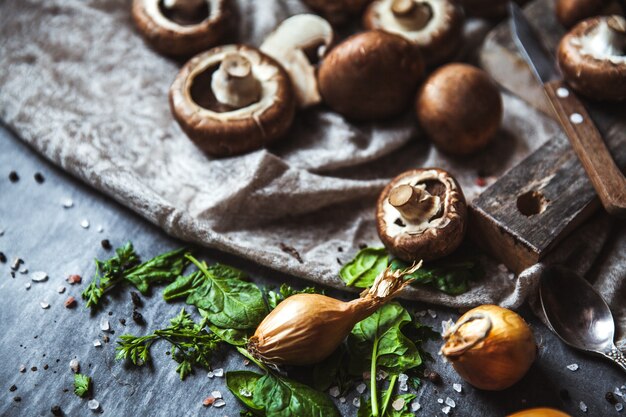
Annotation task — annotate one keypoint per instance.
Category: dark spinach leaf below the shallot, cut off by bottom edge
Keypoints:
(282, 397)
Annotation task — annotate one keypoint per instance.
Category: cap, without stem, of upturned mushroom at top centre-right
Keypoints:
(438, 41)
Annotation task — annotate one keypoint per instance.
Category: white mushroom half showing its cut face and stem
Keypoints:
(291, 44)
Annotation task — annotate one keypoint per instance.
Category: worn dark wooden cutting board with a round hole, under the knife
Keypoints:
(528, 211)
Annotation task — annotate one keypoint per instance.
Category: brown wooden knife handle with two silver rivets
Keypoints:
(607, 179)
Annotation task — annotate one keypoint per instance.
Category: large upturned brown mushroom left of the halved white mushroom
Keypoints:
(232, 99)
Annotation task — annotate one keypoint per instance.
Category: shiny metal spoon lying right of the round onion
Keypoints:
(578, 314)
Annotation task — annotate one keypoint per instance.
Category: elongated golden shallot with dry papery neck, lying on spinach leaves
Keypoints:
(306, 328)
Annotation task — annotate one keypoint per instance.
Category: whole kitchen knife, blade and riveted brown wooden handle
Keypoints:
(586, 140)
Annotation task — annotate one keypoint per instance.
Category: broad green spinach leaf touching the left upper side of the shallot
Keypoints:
(228, 301)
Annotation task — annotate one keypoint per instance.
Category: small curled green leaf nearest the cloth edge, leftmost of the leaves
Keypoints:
(162, 268)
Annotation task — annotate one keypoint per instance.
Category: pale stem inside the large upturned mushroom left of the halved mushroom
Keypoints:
(234, 83)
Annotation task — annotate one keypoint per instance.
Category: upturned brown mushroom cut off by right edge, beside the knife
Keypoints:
(592, 57)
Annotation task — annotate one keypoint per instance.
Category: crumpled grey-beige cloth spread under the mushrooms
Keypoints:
(80, 86)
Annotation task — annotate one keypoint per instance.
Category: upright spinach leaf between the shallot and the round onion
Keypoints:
(395, 352)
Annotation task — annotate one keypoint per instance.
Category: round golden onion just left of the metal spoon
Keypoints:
(490, 347)
